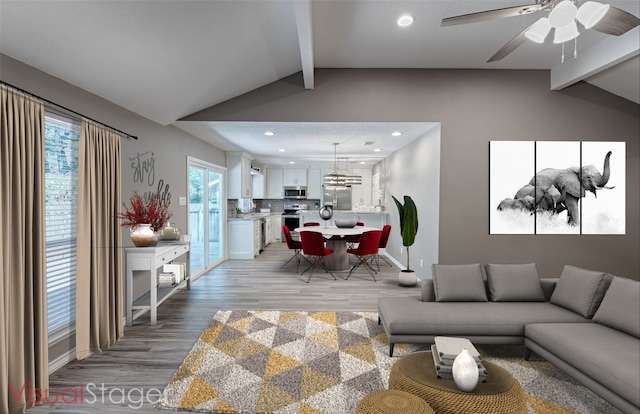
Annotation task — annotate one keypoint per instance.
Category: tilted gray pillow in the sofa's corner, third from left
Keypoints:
(580, 290)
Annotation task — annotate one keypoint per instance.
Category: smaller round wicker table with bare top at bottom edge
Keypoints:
(393, 402)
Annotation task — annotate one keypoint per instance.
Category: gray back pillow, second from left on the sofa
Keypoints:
(514, 283)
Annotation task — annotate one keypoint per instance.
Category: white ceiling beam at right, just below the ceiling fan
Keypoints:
(597, 58)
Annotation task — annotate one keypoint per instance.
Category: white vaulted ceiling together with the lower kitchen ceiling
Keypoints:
(166, 60)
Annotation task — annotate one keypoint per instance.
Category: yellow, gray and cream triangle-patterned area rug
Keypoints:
(286, 362)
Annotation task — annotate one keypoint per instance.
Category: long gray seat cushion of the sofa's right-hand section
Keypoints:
(607, 355)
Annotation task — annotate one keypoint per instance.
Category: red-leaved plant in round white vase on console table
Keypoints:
(144, 218)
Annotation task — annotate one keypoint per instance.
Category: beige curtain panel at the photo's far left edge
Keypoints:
(24, 355)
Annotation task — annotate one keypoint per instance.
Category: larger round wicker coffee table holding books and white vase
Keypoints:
(416, 374)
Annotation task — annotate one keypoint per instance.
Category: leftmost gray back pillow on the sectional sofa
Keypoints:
(458, 283)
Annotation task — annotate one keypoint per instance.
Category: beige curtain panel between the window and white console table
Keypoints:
(99, 280)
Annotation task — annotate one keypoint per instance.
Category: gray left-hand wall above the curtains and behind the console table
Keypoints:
(170, 145)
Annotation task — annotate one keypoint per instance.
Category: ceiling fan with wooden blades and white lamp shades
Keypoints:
(614, 21)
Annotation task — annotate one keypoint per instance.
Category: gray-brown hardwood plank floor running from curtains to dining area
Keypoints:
(141, 364)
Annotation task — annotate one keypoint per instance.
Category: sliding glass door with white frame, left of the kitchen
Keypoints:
(206, 214)
